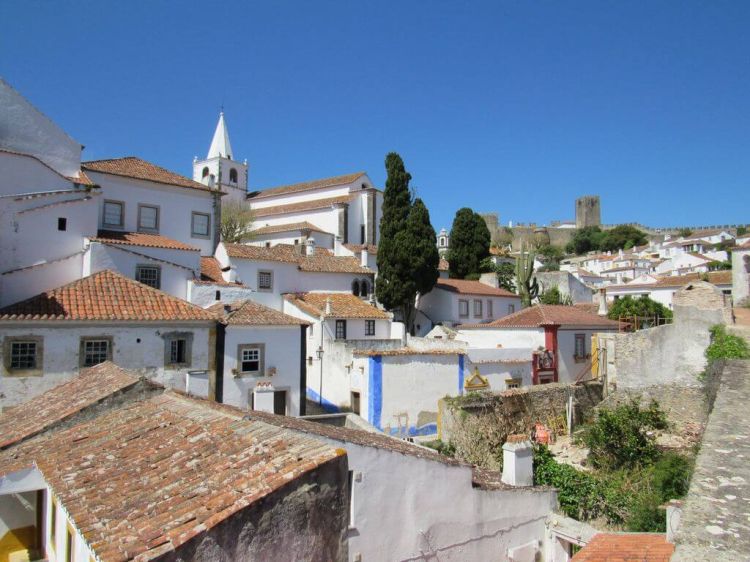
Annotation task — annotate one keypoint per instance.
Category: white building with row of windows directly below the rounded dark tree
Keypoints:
(456, 301)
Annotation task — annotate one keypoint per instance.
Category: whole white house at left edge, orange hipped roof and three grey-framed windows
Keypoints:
(105, 317)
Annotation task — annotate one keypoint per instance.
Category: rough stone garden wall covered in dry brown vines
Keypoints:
(478, 424)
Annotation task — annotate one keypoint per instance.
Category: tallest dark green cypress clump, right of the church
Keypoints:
(407, 251)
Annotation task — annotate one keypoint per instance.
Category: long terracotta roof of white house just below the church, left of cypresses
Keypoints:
(321, 261)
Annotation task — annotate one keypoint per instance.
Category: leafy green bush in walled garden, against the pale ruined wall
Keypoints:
(618, 437)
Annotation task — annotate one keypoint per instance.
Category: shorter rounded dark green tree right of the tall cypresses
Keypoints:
(470, 244)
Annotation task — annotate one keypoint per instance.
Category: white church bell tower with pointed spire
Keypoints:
(219, 170)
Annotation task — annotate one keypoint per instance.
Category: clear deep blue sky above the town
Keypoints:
(513, 106)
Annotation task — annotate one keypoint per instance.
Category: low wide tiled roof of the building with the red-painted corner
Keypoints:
(540, 315)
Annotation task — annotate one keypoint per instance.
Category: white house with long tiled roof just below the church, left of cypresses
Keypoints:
(284, 268)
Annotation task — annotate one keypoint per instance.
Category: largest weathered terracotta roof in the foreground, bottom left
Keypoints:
(142, 480)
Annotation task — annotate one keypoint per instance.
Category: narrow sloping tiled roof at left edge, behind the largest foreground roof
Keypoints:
(62, 402)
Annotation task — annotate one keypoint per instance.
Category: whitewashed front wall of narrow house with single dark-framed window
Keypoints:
(282, 351)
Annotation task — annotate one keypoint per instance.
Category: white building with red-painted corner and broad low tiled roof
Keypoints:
(562, 333)
